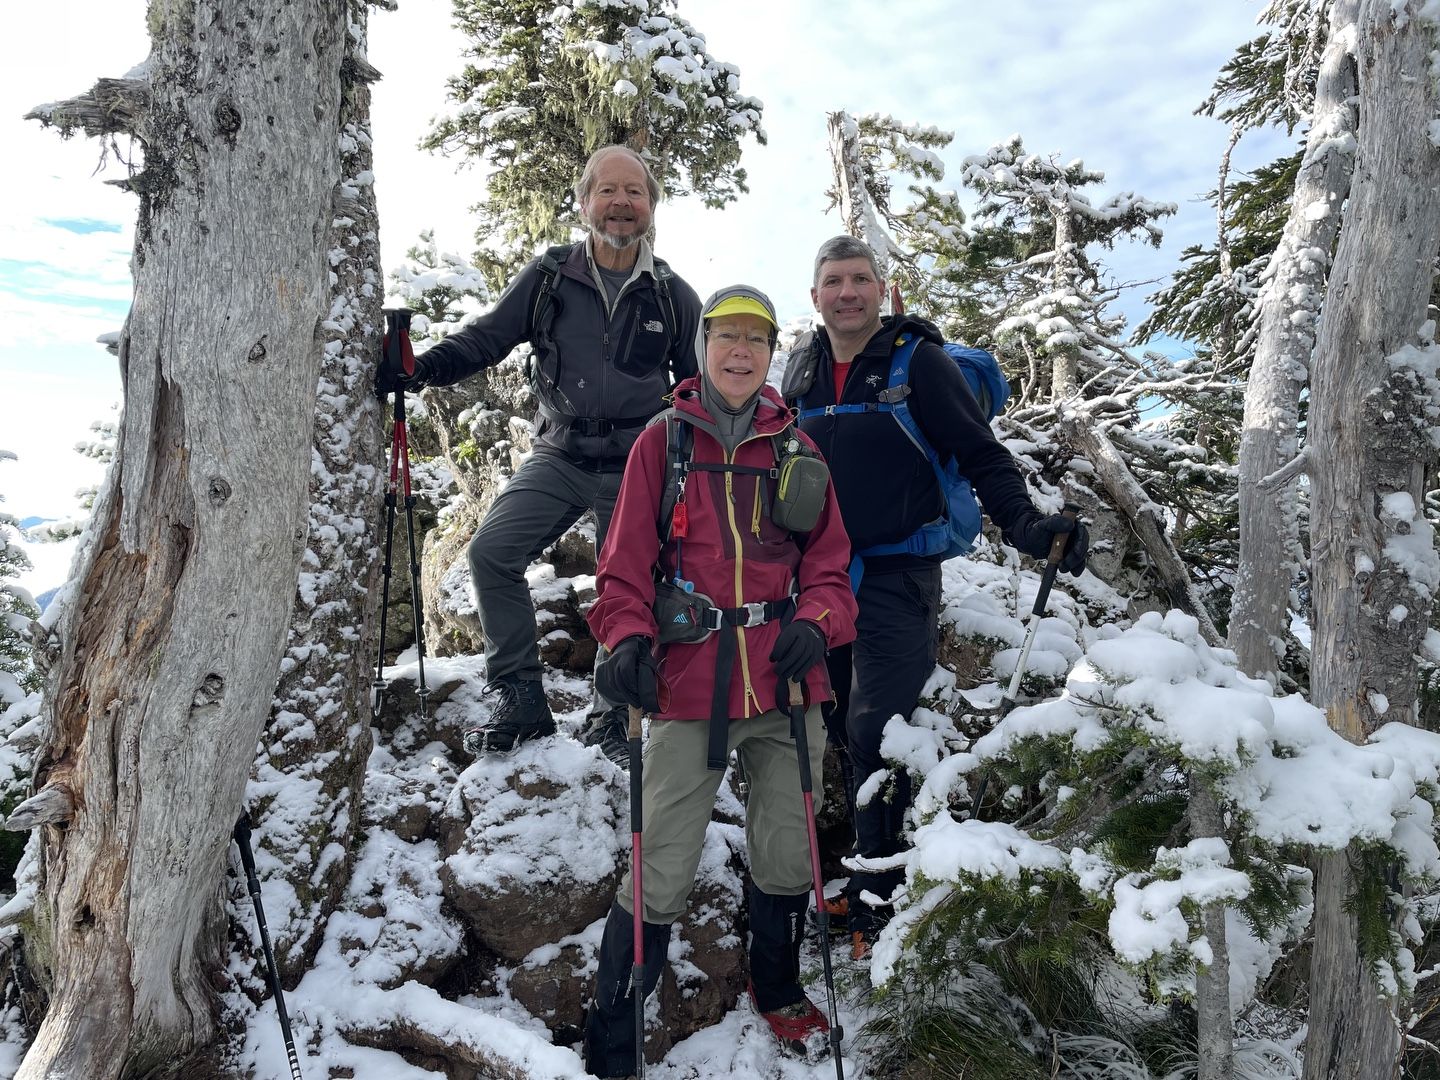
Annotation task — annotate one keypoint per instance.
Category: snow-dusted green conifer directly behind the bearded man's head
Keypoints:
(548, 84)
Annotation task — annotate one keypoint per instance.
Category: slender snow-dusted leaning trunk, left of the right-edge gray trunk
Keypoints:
(1285, 336)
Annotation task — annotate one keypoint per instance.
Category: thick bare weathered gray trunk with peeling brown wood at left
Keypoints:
(172, 642)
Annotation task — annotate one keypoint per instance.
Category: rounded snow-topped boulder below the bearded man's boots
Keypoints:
(523, 833)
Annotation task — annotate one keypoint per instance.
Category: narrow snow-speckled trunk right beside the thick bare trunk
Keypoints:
(309, 775)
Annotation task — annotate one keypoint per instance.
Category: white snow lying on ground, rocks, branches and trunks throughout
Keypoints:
(1154, 680)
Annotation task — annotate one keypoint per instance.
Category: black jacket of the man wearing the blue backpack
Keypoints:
(885, 487)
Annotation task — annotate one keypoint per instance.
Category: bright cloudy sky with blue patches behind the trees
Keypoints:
(1111, 81)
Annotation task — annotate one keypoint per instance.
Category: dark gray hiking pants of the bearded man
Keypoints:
(541, 502)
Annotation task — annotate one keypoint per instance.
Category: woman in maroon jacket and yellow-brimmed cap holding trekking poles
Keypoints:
(777, 601)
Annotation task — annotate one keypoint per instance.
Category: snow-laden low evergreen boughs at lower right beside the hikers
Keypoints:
(1147, 712)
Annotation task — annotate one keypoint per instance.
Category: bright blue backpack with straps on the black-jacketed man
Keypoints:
(955, 531)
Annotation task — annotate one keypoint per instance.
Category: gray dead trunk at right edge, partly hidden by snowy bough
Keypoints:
(1373, 555)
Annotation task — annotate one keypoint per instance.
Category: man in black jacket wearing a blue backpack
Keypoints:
(908, 440)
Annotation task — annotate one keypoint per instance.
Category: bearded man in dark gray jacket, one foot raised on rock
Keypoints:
(608, 345)
